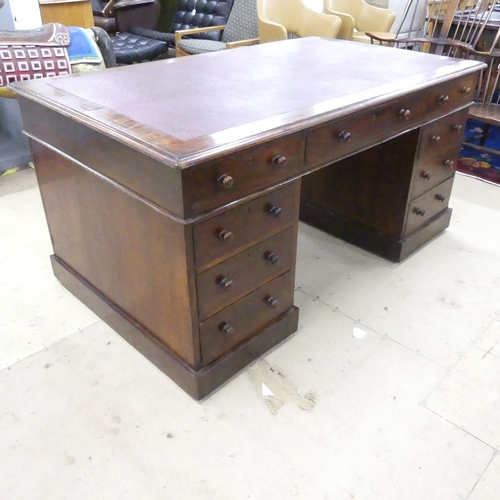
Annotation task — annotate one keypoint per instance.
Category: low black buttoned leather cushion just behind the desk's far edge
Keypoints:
(130, 48)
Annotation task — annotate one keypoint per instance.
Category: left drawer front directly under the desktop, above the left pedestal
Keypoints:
(242, 174)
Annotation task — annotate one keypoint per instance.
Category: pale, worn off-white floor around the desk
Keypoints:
(390, 389)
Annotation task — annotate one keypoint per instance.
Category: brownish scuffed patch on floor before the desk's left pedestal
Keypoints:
(276, 390)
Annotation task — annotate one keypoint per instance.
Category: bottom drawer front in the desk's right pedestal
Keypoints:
(428, 205)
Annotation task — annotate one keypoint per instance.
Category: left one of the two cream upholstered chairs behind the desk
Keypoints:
(282, 19)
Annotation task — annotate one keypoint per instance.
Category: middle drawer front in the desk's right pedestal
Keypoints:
(429, 172)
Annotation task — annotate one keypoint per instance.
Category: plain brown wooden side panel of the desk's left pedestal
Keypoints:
(138, 258)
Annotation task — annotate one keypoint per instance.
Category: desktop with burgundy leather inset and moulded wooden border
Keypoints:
(126, 105)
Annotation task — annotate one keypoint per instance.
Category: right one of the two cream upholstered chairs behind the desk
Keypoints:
(358, 17)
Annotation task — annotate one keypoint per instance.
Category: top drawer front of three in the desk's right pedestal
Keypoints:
(442, 134)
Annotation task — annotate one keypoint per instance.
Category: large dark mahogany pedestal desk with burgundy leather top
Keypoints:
(172, 189)
